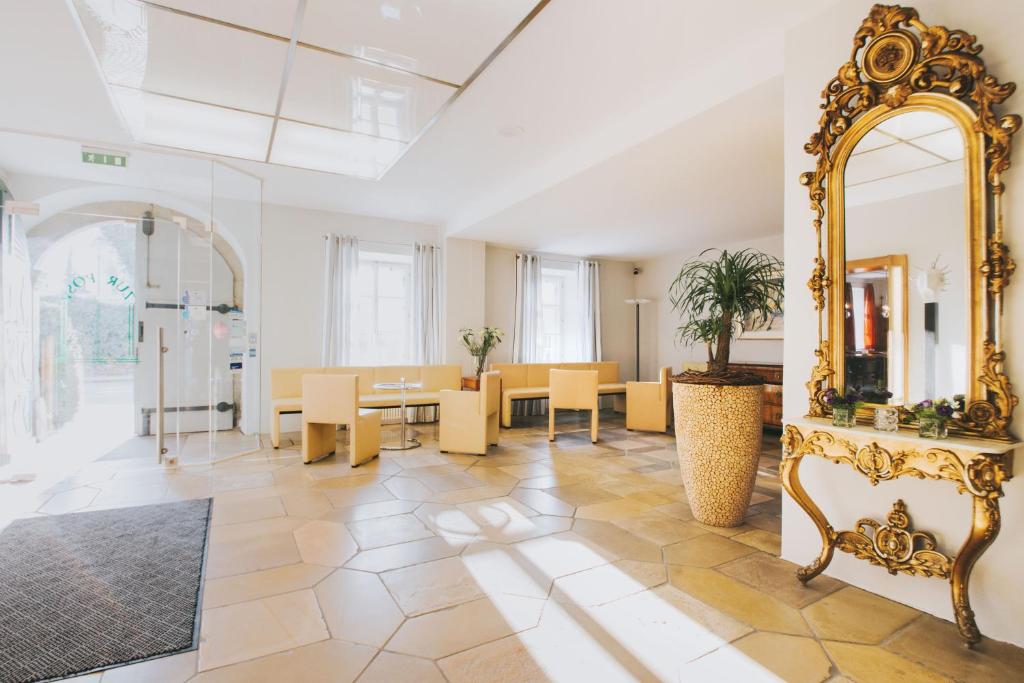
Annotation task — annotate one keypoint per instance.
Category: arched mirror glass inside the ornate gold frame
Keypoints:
(907, 328)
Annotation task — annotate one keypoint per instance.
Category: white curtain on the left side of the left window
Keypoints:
(342, 264)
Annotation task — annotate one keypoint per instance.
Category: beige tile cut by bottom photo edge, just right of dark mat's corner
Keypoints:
(327, 662)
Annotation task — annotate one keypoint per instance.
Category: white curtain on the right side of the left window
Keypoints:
(426, 312)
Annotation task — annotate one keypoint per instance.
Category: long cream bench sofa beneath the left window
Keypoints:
(286, 388)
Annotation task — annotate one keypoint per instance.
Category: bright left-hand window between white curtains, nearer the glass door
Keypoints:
(381, 322)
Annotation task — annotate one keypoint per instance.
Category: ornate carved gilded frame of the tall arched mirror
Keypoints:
(900, 64)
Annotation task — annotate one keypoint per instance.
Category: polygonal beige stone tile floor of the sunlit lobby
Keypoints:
(568, 562)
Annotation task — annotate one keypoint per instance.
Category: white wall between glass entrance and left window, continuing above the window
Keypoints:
(293, 273)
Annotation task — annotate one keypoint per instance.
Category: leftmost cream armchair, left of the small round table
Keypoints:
(329, 401)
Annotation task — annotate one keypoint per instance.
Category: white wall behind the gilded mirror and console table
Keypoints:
(843, 495)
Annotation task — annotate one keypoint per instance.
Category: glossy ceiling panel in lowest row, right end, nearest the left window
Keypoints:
(332, 151)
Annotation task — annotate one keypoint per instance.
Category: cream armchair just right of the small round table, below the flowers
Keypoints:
(470, 419)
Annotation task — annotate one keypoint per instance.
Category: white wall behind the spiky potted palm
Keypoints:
(658, 322)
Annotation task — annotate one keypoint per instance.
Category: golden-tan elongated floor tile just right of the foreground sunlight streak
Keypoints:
(739, 601)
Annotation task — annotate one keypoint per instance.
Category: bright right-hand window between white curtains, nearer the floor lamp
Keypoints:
(560, 316)
